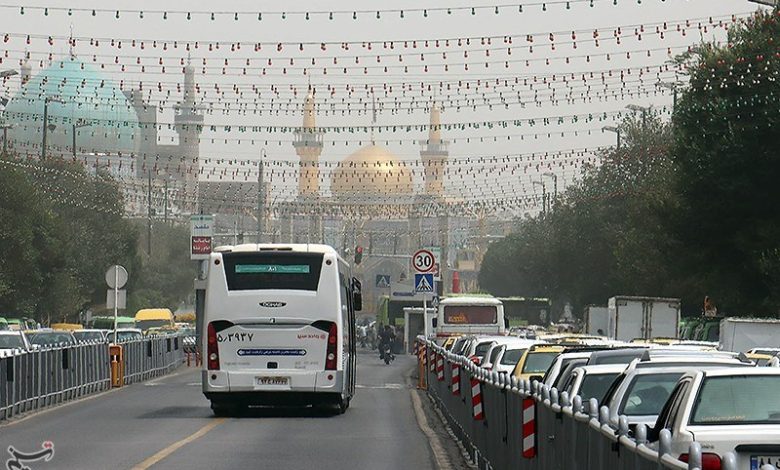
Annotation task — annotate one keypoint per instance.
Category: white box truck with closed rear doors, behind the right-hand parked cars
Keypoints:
(632, 317)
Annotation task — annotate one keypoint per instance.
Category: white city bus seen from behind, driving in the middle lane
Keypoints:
(279, 326)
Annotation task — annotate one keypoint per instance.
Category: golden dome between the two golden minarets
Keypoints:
(371, 171)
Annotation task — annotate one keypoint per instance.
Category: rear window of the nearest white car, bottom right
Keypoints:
(745, 399)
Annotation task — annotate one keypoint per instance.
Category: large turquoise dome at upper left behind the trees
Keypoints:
(89, 98)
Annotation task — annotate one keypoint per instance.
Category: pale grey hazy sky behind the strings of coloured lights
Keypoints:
(628, 15)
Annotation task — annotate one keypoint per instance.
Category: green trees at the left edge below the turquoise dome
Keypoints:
(61, 229)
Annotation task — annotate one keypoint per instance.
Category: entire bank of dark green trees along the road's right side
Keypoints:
(684, 210)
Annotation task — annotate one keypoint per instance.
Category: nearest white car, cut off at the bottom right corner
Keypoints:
(725, 410)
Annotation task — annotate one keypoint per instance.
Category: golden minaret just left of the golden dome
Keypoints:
(308, 146)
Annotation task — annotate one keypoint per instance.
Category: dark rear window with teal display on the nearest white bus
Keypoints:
(255, 271)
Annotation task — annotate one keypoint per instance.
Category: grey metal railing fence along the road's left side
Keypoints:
(44, 377)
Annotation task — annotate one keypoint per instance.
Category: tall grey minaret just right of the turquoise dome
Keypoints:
(189, 124)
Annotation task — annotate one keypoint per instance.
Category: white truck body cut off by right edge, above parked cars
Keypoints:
(742, 334)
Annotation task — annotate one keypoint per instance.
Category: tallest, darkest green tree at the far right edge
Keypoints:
(726, 129)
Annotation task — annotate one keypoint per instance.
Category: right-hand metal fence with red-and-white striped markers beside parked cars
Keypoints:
(508, 424)
